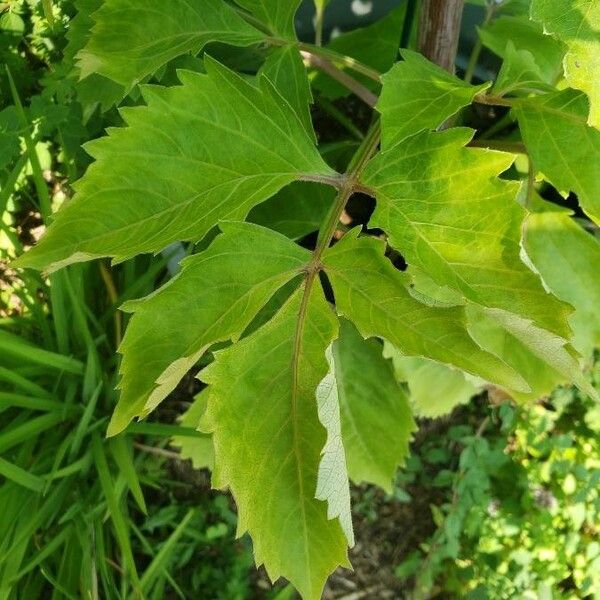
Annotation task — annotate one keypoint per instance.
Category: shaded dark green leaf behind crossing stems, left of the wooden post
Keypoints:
(375, 46)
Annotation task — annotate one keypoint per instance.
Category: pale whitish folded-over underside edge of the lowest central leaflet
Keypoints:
(332, 480)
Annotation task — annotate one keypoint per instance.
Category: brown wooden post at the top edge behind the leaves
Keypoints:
(439, 30)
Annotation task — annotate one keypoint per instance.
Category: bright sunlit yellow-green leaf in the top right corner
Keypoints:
(577, 24)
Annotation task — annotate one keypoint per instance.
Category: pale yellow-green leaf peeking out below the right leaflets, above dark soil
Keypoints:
(435, 389)
